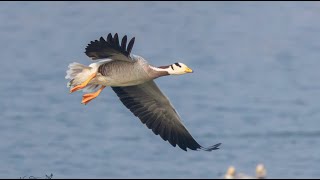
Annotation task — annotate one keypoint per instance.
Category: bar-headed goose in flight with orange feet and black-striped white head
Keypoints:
(131, 78)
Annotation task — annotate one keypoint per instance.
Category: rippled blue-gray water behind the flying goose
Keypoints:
(255, 89)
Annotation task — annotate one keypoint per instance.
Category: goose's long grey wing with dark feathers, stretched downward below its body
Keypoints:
(153, 108)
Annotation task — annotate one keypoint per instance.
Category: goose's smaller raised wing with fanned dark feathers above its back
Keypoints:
(110, 48)
